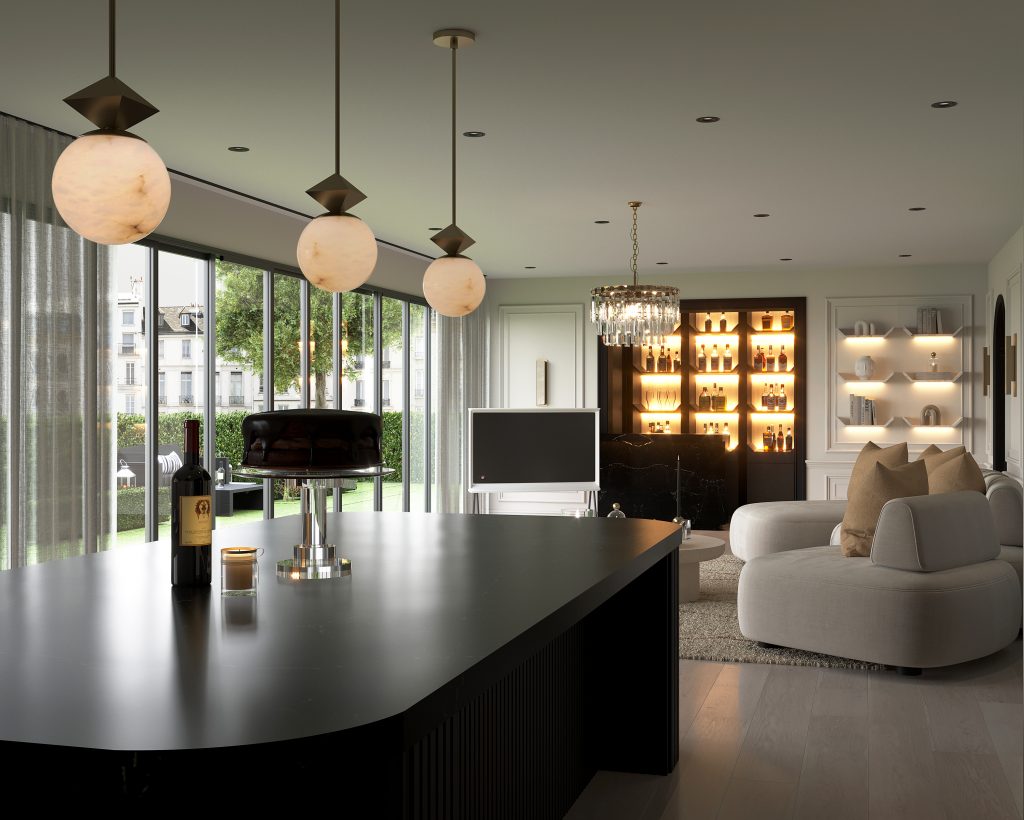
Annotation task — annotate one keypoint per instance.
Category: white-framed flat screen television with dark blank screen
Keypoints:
(537, 450)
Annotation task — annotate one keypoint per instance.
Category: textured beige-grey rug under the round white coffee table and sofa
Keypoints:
(709, 629)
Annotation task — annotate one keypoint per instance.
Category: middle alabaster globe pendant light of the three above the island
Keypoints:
(337, 251)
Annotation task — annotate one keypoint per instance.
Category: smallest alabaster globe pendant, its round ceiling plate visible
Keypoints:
(454, 284)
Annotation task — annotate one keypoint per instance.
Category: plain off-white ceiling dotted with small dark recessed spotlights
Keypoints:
(826, 124)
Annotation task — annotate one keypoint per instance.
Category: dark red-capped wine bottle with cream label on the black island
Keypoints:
(192, 517)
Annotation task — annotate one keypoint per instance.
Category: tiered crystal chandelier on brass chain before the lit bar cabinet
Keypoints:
(628, 315)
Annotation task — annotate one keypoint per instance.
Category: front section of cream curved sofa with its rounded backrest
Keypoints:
(932, 594)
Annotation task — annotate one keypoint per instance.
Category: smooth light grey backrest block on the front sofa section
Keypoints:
(929, 534)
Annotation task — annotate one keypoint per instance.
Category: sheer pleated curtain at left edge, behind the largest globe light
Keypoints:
(58, 424)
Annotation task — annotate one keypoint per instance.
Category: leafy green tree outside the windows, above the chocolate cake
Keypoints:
(240, 328)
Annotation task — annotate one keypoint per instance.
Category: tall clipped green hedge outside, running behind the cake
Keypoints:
(132, 433)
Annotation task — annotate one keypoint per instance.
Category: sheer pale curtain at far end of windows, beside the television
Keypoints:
(462, 383)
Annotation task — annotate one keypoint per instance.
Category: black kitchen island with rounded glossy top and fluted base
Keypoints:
(471, 667)
